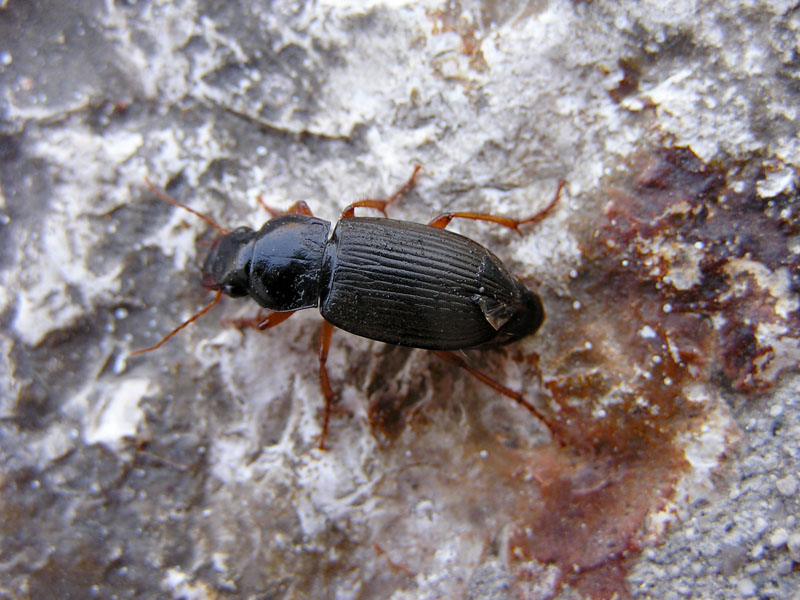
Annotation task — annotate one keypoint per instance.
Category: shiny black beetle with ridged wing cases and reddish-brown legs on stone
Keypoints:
(397, 282)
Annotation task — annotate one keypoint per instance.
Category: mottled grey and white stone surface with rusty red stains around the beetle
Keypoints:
(669, 271)
